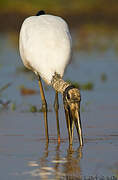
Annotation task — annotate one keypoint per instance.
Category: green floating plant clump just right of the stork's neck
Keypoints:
(86, 86)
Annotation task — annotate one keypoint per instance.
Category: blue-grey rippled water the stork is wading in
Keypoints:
(24, 153)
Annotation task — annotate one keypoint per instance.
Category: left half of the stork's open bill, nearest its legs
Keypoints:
(70, 124)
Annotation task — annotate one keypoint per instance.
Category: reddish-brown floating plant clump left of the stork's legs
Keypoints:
(26, 91)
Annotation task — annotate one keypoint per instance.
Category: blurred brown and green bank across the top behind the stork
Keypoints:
(93, 21)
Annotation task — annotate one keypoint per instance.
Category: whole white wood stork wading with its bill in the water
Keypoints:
(45, 48)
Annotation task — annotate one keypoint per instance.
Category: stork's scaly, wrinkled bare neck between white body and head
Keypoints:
(59, 84)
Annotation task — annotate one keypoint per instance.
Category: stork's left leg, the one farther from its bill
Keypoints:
(44, 106)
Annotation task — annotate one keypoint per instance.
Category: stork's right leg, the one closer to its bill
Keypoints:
(56, 107)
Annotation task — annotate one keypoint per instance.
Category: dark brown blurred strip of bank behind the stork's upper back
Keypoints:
(11, 21)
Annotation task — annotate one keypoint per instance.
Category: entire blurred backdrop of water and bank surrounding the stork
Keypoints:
(94, 69)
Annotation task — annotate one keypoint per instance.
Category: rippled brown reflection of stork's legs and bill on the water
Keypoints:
(59, 166)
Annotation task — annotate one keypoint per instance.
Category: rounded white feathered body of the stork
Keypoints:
(45, 45)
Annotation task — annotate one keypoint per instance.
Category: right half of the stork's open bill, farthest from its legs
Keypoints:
(77, 121)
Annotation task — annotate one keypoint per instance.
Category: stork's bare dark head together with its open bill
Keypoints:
(71, 98)
